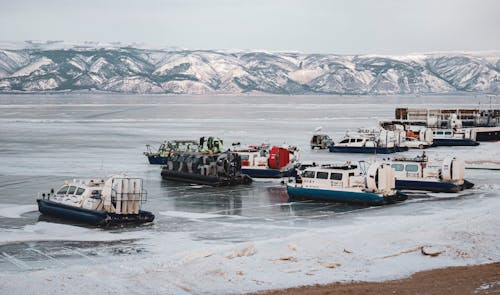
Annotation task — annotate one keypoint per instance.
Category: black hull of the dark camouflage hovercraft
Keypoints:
(206, 180)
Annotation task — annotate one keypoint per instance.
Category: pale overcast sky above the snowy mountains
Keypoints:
(310, 26)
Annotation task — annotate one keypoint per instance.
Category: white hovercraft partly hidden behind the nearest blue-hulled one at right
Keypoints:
(418, 174)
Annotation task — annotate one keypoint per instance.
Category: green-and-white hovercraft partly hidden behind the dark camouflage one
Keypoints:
(159, 156)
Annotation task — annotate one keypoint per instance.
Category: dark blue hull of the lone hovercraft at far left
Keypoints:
(92, 217)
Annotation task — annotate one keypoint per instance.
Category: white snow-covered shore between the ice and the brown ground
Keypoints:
(377, 244)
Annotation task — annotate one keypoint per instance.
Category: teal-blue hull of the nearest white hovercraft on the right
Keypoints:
(365, 198)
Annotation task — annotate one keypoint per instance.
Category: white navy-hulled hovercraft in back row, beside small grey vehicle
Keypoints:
(373, 142)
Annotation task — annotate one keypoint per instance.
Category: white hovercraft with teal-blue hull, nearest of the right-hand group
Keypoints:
(346, 184)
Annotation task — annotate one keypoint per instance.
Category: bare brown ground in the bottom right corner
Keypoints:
(477, 279)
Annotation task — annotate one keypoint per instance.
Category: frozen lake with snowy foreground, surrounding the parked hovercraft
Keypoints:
(195, 243)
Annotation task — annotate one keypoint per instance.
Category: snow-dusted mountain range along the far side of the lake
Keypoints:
(118, 68)
